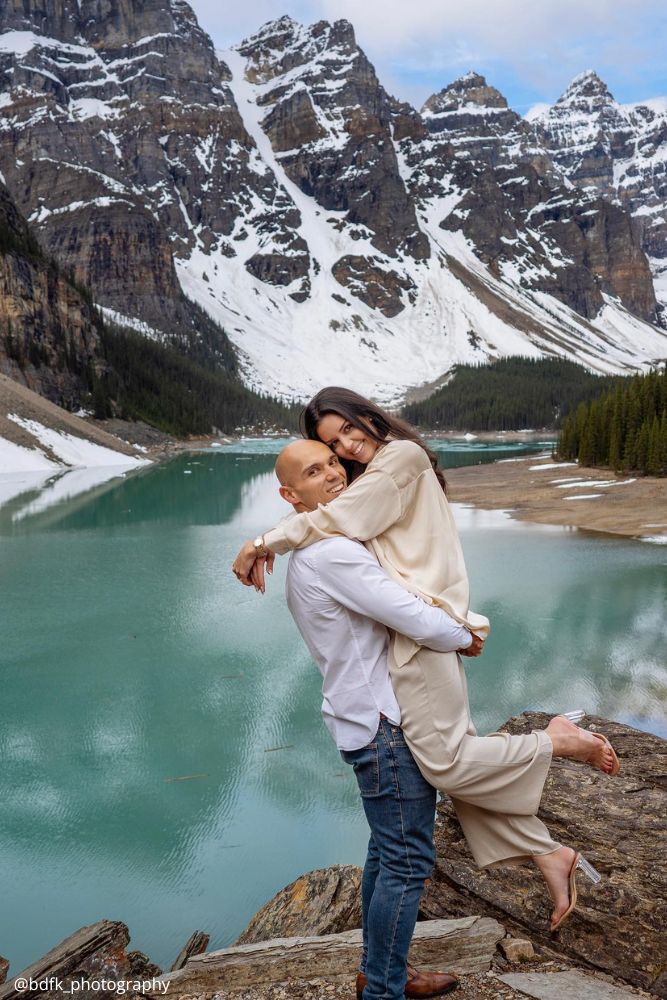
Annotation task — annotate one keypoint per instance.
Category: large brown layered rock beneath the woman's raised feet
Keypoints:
(620, 824)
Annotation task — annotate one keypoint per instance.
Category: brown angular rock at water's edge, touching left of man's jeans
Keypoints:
(326, 901)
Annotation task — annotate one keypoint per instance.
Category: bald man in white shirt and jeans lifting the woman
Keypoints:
(343, 603)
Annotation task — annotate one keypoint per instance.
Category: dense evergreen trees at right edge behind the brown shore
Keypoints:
(625, 429)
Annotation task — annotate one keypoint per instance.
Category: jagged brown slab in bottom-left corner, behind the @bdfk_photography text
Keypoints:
(92, 953)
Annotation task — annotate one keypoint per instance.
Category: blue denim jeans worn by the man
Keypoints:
(400, 809)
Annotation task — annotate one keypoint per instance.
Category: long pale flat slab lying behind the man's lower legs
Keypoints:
(461, 946)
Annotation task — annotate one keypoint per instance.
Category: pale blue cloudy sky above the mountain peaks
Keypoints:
(530, 51)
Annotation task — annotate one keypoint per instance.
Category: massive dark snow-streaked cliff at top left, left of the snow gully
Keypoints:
(122, 145)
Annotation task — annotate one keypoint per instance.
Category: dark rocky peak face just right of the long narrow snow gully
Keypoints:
(330, 122)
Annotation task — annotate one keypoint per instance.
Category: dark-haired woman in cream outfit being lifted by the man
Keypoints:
(397, 504)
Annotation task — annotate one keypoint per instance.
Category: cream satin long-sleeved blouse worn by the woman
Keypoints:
(398, 508)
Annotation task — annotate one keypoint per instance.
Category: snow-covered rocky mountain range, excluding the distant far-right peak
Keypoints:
(336, 234)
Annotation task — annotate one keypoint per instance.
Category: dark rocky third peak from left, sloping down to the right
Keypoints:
(517, 209)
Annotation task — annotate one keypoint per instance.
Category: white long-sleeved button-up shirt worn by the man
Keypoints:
(343, 602)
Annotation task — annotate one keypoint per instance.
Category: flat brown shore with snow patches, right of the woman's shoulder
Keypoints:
(537, 489)
